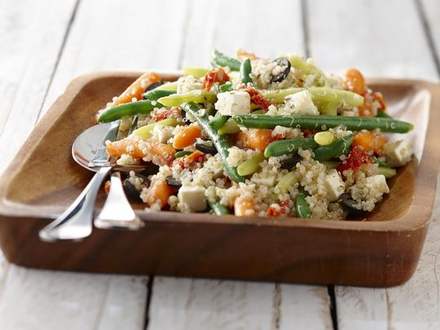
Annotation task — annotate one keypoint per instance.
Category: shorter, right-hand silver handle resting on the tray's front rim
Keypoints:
(117, 211)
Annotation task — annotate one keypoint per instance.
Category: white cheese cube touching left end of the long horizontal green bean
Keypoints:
(233, 103)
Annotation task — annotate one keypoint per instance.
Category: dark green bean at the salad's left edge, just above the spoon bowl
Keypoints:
(128, 109)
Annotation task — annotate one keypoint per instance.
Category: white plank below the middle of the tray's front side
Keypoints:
(179, 304)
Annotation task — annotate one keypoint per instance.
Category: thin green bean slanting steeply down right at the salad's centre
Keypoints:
(220, 142)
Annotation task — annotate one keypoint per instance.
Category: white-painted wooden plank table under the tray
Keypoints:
(45, 43)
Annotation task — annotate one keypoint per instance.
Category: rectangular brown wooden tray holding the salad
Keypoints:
(381, 251)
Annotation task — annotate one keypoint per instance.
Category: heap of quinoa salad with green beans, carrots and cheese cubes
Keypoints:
(255, 136)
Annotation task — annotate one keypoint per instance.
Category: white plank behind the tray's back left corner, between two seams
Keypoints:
(135, 35)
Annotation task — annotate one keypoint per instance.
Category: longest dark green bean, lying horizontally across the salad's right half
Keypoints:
(320, 122)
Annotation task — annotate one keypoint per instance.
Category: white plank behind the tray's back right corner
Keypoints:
(381, 38)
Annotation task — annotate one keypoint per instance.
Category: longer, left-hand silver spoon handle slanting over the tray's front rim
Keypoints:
(76, 222)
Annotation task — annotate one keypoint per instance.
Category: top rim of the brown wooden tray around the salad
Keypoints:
(417, 216)
